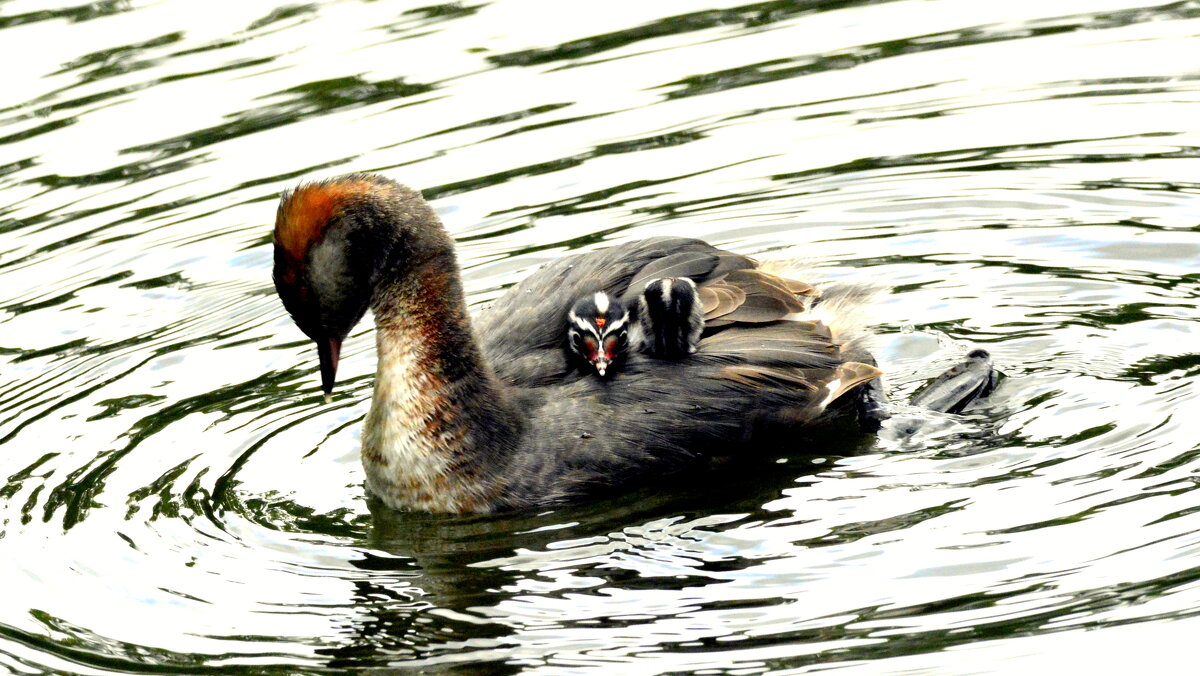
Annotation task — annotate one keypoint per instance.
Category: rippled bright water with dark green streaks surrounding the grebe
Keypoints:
(177, 498)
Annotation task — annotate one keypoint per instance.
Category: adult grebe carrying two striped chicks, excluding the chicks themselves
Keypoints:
(476, 415)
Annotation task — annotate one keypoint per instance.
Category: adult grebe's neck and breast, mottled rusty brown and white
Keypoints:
(441, 429)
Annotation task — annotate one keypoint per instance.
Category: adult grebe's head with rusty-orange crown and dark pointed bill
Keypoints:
(332, 246)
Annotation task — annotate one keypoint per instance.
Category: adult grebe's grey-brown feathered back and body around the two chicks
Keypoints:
(776, 351)
